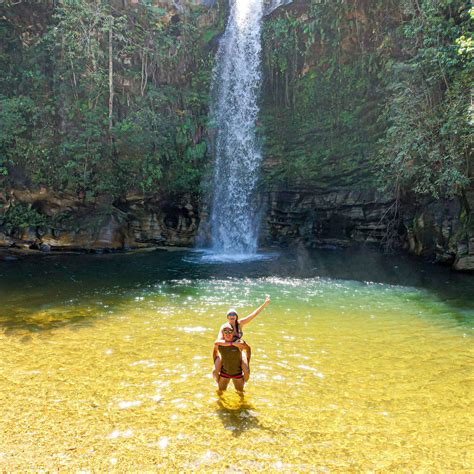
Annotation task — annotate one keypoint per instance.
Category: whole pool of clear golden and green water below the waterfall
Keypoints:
(361, 362)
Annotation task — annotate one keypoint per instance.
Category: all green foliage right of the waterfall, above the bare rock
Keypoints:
(364, 92)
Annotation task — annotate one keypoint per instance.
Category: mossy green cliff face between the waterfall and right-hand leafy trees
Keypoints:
(321, 101)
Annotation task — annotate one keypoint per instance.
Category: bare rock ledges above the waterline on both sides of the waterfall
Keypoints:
(439, 230)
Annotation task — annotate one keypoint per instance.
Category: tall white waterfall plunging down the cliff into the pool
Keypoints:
(234, 109)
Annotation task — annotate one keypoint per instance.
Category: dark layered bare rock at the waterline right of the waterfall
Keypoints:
(436, 230)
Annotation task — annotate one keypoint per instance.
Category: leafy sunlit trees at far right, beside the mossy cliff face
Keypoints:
(429, 138)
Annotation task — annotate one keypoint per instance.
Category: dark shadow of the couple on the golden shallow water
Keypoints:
(237, 414)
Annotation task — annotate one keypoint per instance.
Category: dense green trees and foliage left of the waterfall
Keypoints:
(56, 131)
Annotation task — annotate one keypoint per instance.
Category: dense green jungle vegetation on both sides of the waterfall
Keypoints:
(98, 99)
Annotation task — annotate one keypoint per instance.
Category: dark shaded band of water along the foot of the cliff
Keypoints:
(83, 273)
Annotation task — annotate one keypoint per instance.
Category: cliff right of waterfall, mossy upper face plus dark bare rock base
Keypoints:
(322, 117)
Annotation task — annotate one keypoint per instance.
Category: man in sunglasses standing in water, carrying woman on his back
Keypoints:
(231, 357)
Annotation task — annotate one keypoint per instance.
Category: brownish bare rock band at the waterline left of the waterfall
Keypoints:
(133, 223)
